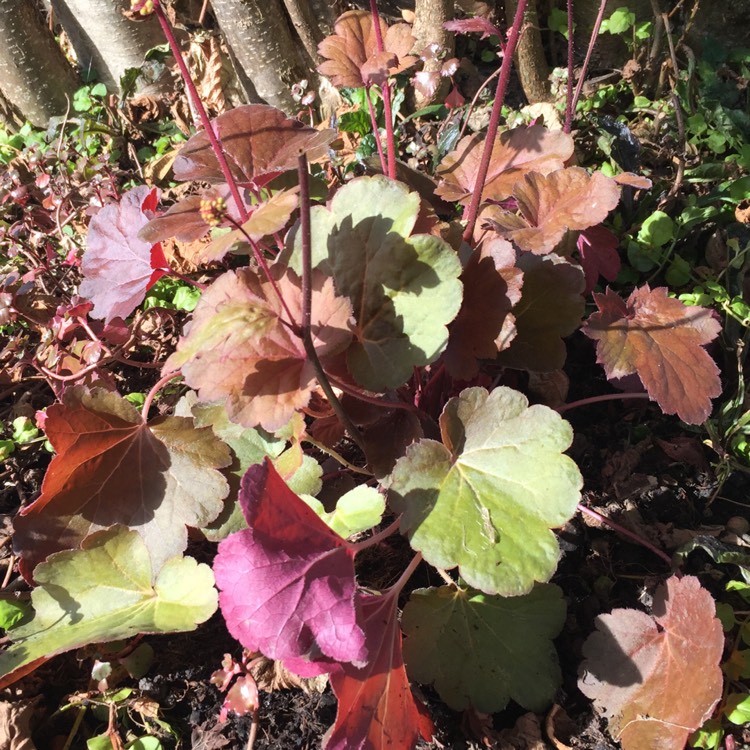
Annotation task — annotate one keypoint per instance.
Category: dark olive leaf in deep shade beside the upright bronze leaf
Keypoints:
(551, 308)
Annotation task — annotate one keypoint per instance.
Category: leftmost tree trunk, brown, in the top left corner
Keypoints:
(34, 74)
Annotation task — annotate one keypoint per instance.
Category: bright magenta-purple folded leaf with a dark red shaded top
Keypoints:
(287, 582)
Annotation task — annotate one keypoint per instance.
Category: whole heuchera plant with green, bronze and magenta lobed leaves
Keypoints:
(369, 333)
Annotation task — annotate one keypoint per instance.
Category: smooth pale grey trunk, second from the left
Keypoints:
(104, 40)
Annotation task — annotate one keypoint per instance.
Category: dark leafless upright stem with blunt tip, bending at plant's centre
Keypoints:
(307, 304)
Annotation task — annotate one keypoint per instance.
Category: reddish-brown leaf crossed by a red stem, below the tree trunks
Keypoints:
(256, 139)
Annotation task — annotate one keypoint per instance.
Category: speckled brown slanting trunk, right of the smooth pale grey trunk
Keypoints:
(265, 48)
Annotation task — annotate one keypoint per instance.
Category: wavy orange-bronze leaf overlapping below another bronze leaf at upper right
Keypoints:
(550, 205)
